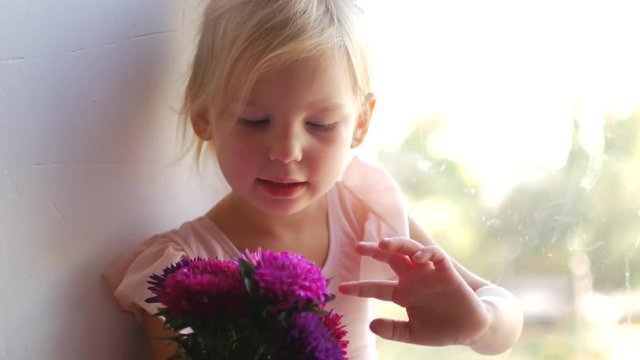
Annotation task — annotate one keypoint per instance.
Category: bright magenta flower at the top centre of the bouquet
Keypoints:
(287, 279)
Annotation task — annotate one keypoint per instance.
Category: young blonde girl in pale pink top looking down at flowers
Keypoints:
(280, 93)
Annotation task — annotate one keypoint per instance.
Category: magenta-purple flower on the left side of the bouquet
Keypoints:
(200, 287)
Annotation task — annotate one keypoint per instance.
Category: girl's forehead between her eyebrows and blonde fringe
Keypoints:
(307, 82)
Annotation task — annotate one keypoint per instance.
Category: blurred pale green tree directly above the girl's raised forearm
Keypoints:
(439, 185)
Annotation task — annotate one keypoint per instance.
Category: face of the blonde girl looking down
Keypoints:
(289, 144)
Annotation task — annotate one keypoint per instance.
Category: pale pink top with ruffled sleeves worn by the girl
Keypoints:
(365, 205)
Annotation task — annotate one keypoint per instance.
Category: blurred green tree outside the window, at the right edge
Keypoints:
(549, 220)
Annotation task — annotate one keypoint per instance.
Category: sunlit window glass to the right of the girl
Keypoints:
(513, 128)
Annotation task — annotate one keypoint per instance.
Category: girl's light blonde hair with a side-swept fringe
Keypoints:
(242, 39)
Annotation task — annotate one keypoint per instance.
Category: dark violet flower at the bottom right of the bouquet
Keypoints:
(308, 338)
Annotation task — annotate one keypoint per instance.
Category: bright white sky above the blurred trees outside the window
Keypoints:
(507, 76)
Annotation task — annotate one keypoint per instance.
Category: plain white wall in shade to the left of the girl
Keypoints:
(88, 92)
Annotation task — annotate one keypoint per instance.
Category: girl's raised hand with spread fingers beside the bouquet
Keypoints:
(441, 307)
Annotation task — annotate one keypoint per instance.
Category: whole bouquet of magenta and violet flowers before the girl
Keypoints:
(263, 305)
